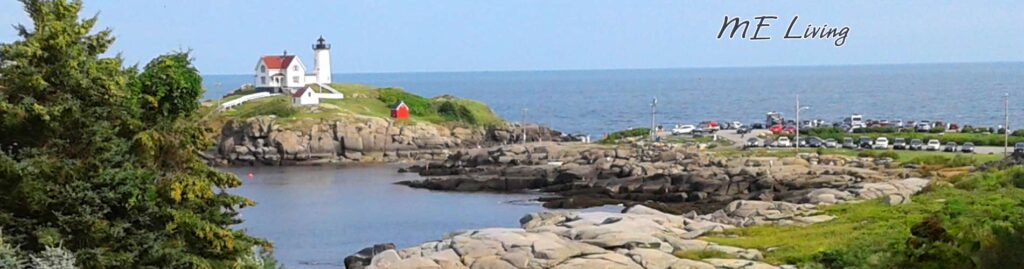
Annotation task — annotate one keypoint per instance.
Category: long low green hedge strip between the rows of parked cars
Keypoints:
(891, 133)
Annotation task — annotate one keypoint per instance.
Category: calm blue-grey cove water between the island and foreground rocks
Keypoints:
(318, 216)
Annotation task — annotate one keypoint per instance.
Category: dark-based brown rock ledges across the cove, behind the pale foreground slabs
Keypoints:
(671, 178)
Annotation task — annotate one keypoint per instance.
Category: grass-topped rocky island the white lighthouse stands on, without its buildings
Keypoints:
(359, 129)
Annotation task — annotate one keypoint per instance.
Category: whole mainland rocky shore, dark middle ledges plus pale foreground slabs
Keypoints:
(674, 196)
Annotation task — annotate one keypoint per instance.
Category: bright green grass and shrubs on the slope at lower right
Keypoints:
(972, 221)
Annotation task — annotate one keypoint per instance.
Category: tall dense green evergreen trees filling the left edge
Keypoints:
(102, 160)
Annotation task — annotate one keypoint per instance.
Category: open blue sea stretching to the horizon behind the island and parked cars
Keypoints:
(600, 102)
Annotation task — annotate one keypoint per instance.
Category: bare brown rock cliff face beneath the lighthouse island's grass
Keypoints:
(263, 141)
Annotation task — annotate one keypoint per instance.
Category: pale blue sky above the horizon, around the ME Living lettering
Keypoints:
(374, 36)
